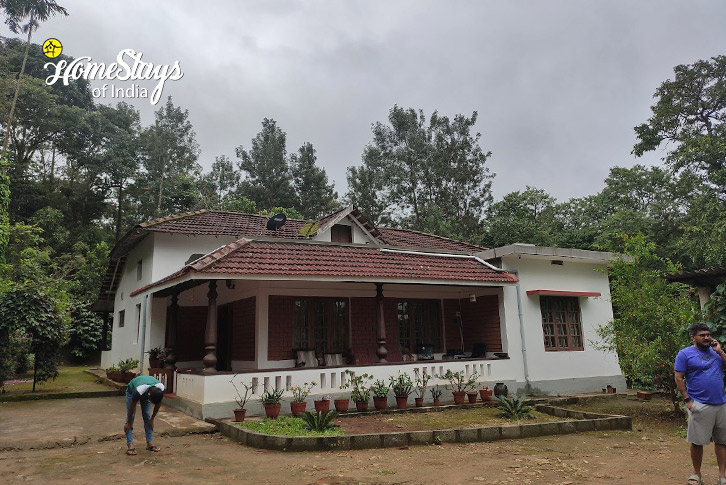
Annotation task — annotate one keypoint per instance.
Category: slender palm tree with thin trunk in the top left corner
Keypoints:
(16, 11)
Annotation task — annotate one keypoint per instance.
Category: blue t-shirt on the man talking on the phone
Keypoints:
(704, 374)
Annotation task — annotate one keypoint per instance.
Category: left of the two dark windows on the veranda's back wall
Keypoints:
(321, 324)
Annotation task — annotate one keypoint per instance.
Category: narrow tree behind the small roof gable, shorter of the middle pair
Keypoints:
(315, 197)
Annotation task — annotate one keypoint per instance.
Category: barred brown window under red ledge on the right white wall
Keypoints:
(561, 323)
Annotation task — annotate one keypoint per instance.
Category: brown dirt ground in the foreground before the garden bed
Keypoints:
(652, 452)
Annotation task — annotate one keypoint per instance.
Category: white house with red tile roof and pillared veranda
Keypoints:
(281, 302)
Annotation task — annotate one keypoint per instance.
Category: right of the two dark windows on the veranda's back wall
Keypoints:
(419, 324)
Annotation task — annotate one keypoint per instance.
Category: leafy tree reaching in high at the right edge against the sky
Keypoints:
(690, 115)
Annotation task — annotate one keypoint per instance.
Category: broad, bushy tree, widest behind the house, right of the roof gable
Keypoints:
(419, 172)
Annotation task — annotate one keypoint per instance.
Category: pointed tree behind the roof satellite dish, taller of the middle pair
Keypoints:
(267, 179)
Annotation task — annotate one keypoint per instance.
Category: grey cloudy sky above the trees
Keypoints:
(558, 84)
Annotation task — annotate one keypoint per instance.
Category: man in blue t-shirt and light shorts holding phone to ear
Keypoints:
(701, 365)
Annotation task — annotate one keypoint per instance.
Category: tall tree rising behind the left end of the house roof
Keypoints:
(170, 154)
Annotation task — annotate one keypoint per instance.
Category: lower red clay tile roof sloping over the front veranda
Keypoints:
(356, 263)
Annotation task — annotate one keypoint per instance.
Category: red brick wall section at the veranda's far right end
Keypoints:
(480, 321)
